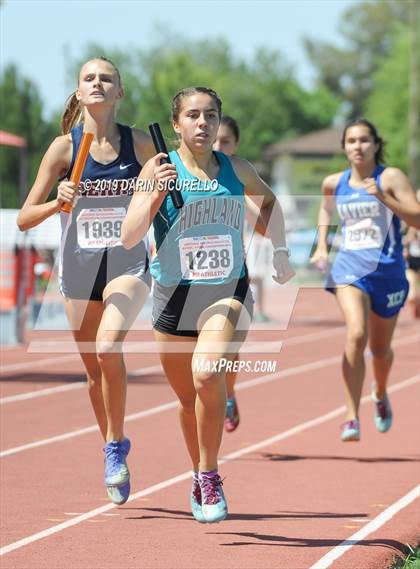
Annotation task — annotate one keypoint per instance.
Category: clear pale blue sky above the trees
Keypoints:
(40, 35)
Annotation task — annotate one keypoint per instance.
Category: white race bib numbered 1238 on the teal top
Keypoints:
(207, 257)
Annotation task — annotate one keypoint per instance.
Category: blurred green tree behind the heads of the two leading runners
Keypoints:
(262, 94)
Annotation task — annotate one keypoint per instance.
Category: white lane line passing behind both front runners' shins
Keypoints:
(289, 372)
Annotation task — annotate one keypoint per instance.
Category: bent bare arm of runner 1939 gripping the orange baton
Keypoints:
(55, 163)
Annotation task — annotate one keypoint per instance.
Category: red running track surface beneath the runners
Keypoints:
(298, 497)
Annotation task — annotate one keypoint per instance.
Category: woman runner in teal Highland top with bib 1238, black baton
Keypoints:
(202, 306)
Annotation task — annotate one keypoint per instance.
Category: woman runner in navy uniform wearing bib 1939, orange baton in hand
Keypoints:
(104, 285)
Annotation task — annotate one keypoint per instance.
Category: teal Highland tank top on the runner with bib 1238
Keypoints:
(202, 242)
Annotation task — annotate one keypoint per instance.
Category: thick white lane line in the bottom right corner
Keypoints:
(369, 528)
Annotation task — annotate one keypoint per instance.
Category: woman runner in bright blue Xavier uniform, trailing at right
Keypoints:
(368, 274)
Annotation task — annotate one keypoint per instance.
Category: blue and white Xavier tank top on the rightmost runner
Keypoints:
(371, 234)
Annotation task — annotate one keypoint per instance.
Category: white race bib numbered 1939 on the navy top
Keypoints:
(99, 228)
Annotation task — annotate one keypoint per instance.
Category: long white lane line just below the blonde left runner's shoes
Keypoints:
(186, 475)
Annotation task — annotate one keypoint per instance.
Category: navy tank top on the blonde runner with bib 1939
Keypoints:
(94, 223)
